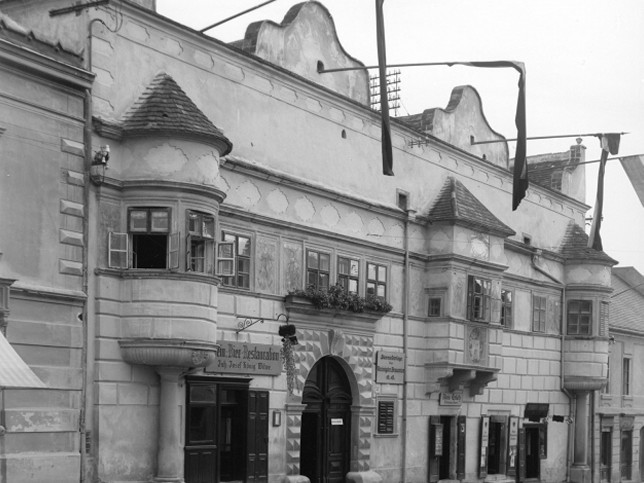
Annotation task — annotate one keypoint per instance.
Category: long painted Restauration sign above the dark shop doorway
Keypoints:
(246, 358)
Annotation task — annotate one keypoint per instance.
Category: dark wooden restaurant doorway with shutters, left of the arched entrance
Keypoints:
(226, 433)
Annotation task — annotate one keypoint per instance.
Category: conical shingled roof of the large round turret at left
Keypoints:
(164, 108)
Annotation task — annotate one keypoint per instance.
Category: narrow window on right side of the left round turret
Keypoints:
(200, 242)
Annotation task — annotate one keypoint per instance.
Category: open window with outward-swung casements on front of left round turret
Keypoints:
(148, 243)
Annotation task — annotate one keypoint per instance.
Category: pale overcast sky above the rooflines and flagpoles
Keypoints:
(584, 61)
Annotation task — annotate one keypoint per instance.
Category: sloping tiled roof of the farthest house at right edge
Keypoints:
(627, 302)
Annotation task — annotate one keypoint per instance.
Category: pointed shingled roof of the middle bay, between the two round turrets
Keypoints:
(456, 204)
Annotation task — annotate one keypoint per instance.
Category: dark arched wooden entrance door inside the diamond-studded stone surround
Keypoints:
(326, 423)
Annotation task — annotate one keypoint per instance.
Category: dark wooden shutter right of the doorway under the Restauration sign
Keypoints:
(257, 437)
